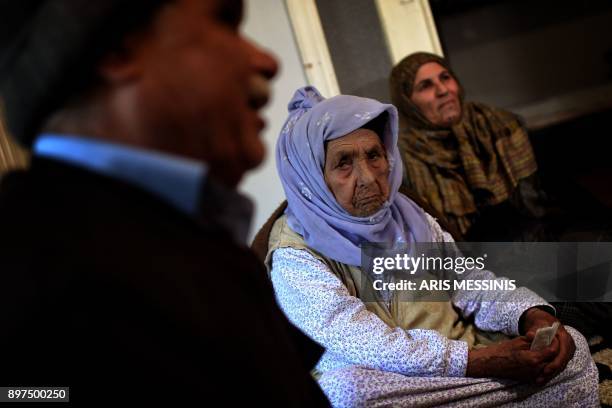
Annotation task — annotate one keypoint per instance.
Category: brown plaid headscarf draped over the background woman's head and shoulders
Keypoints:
(477, 161)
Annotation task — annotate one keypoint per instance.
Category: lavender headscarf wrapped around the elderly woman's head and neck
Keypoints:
(313, 211)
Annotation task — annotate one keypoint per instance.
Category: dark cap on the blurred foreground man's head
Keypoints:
(47, 45)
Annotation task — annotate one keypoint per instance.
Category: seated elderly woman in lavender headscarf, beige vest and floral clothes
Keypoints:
(341, 171)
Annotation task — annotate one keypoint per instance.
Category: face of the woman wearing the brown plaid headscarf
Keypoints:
(436, 94)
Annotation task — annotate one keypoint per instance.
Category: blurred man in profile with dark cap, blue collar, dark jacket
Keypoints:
(125, 274)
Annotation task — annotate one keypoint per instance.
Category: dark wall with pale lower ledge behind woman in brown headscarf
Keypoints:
(550, 57)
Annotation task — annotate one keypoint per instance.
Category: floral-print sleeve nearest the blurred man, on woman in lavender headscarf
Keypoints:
(317, 302)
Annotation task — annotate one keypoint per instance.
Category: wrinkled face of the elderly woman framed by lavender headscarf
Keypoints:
(357, 171)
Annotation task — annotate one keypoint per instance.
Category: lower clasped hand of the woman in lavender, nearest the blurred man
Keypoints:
(512, 359)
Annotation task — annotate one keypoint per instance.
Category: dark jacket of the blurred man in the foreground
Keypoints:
(108, 290)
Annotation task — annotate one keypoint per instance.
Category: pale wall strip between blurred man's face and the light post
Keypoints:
(267, 22)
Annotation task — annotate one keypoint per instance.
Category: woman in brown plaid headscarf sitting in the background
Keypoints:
(469, 161)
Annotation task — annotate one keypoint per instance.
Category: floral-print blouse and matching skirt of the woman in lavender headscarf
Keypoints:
(368, 363)
